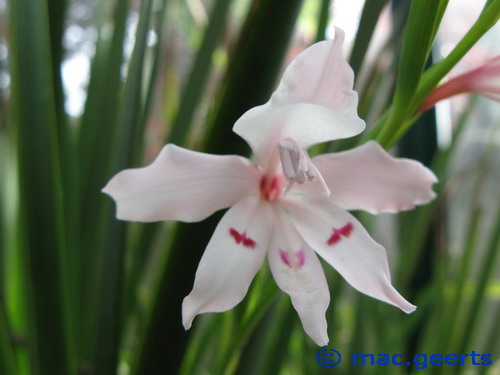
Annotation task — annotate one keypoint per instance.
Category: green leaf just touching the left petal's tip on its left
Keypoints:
(96, 148)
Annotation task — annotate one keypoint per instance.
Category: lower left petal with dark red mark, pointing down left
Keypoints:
(232, 258)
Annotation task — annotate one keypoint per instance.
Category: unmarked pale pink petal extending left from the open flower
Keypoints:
(182, 185)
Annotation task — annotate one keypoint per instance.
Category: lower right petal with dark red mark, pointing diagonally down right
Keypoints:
(343, 242)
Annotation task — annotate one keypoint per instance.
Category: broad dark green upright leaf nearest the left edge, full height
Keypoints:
(51, 339)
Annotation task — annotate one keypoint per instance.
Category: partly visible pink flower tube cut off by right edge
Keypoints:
(484, 80)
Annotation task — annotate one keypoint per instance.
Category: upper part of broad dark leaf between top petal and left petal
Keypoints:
(255, 64)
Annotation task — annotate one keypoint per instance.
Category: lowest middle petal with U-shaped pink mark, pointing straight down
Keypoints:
(298, 272)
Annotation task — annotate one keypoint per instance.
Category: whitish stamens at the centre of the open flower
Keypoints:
(298, 166)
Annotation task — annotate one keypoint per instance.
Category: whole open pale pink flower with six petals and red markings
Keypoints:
(286, 206)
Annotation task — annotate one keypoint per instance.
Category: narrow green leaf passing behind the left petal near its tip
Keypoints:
(130, 137)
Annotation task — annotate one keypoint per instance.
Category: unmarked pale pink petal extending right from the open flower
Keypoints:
(368, 178)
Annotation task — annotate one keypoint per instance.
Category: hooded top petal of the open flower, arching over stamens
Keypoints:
(314, 102)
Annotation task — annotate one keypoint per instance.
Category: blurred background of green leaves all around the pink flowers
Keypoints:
(90, 87)
